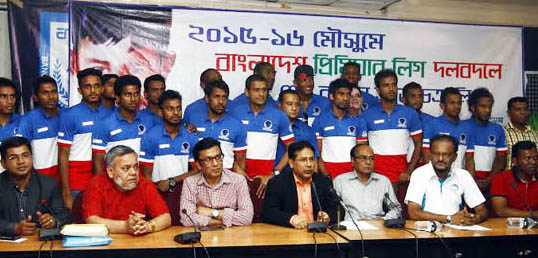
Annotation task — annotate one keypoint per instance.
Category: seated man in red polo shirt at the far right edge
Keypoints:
(512, 190)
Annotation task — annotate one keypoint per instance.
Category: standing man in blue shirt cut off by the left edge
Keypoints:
(9, 120)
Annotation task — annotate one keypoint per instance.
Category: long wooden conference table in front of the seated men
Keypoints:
(263, 240)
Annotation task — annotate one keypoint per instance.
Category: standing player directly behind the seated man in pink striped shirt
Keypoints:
(219, 124)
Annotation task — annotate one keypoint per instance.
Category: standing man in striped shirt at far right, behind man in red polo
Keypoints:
(518, 128)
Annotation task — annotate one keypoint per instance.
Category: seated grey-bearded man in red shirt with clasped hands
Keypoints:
(121, 198)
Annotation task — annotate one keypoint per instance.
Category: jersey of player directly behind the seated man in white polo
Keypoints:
(442, 125)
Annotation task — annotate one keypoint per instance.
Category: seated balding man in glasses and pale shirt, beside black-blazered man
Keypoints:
(365, 192)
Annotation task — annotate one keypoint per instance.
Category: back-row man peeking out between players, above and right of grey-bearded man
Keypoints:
(154, 86)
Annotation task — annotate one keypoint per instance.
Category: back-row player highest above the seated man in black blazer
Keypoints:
(312, 105)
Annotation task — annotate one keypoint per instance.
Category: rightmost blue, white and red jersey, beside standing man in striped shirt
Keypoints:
(488, 140)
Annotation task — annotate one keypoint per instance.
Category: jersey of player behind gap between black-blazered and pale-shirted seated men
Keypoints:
(338, 137)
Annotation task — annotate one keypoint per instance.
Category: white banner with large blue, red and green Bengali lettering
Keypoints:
(435, 55)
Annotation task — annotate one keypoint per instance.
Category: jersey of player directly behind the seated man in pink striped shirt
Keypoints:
(228, 130)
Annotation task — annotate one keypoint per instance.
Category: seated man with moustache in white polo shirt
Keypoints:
(438, 192)
